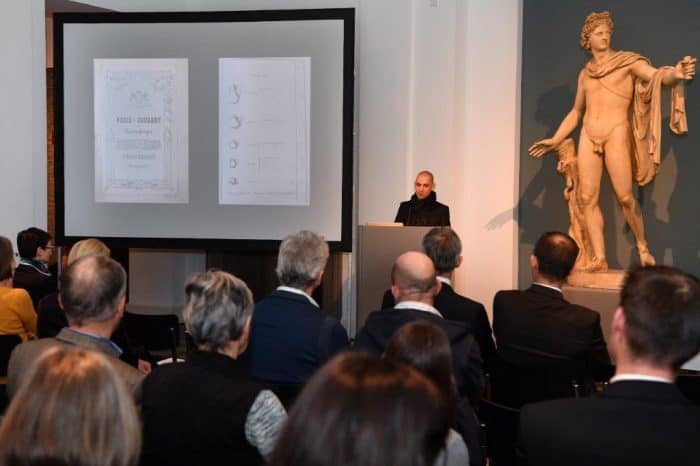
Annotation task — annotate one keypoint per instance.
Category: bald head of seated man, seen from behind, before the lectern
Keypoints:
(413, 277)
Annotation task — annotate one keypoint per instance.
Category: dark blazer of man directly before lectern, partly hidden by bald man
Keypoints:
(454, 306)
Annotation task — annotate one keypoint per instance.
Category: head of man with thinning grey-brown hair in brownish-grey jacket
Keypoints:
(91, 288)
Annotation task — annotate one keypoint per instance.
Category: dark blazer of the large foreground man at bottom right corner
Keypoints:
(632, 423)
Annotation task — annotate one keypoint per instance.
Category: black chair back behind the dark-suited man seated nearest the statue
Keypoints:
(532, 377)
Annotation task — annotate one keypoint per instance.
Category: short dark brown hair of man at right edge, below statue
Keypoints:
(661, 305)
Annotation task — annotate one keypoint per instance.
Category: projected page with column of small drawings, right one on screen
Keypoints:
(264, 106)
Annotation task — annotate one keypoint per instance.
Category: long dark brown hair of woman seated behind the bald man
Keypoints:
(425, 347)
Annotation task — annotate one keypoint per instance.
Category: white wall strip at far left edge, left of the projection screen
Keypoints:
(23, 124)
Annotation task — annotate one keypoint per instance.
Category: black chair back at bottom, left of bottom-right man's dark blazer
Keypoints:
(499, 433)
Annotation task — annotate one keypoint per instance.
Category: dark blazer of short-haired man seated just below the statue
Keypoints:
(540, 319)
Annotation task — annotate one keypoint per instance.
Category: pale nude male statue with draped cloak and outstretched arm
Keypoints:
(627, 143)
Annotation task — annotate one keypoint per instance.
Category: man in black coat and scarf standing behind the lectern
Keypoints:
(423, 209)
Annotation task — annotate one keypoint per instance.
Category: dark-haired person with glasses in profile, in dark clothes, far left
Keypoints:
(33, 274)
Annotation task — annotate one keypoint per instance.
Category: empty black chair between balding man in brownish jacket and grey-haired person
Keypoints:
(154, 332)
